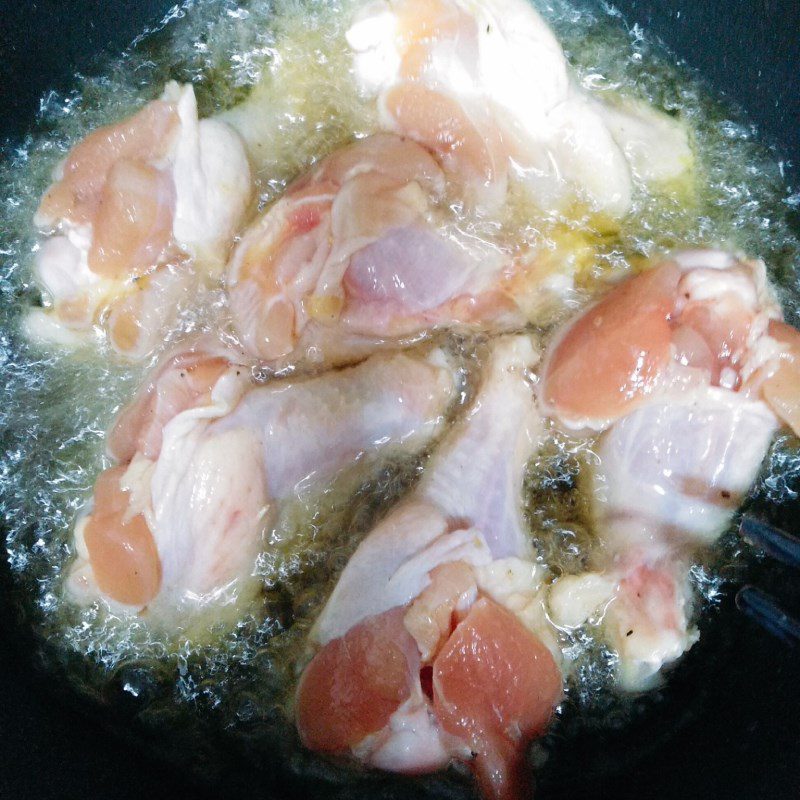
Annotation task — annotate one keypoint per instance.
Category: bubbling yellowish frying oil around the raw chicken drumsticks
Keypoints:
(56, 406)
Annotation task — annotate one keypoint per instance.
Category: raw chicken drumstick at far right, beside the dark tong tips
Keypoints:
(687, 371)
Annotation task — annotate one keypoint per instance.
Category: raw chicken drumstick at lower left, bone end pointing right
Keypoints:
(205, 458)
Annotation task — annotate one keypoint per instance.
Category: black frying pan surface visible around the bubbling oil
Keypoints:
(728, 723)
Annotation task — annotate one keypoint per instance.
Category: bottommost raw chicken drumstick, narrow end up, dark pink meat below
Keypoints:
(433, 645)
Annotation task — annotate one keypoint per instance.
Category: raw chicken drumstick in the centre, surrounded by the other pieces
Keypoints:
(354, 257)
